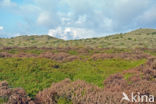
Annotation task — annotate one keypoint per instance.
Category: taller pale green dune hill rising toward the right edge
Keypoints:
(141, 38)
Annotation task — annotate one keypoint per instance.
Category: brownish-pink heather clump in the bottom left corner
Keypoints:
(13, 96)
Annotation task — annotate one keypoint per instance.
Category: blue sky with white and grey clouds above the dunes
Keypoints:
(75, 19)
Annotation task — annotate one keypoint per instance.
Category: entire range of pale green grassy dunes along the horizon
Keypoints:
(141, 38)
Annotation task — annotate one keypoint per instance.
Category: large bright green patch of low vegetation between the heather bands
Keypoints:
(35, 74)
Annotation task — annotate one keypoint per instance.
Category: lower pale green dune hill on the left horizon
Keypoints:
(31, 41)
